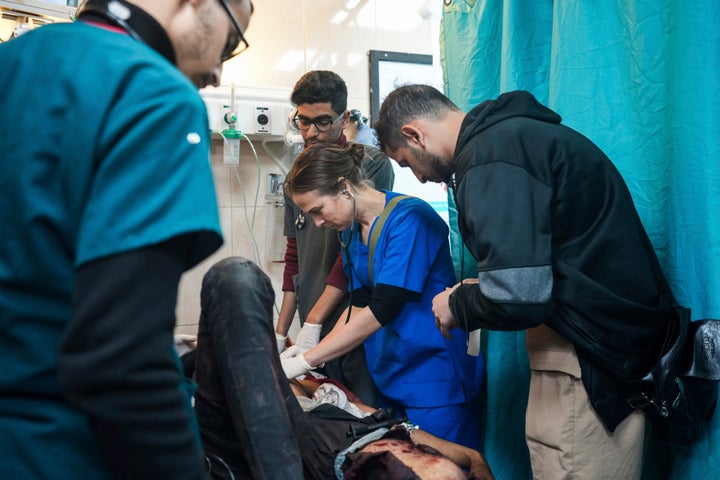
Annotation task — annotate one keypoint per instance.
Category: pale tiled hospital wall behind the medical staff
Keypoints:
(288, 38)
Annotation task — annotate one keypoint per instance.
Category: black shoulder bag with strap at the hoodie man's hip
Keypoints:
(680, 392)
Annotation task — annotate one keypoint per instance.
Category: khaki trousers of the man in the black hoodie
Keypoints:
(565, 437)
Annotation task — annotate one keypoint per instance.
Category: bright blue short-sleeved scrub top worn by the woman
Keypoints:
(409, 359)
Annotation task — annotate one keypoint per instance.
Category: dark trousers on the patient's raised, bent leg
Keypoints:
(251, 423)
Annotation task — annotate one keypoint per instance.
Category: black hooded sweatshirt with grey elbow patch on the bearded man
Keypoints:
(558, 241)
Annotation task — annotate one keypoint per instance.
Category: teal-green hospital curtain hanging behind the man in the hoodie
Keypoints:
(641, 78)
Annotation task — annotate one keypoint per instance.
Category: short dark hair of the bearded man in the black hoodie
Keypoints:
(405, 104)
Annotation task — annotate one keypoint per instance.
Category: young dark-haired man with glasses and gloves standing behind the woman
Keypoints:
(314, 283)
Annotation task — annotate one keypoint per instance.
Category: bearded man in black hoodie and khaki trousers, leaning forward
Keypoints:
(561, 253)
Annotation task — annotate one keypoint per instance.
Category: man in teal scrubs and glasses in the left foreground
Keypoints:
(103, 209)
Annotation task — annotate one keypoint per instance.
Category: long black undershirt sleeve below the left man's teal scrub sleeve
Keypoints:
(116, 365)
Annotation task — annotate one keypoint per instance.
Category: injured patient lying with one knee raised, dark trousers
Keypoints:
(252, 423)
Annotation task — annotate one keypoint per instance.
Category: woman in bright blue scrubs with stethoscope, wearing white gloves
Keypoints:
(429, 378)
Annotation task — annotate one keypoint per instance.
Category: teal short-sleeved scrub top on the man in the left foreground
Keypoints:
(104, 149)
